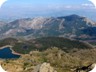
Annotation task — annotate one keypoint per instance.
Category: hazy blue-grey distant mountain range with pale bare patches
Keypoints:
(72, 26)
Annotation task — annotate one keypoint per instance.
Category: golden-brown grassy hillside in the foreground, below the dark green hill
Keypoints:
(58, 59)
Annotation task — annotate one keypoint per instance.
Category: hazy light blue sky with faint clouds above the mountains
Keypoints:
(55, 8)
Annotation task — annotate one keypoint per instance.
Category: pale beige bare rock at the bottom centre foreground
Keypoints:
(45, 67)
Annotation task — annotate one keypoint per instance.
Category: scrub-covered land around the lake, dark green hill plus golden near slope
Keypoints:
(63, 54)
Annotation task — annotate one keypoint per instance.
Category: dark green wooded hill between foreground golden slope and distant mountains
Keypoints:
(42, 44)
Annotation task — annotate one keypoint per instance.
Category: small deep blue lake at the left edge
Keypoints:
(6, 53)
